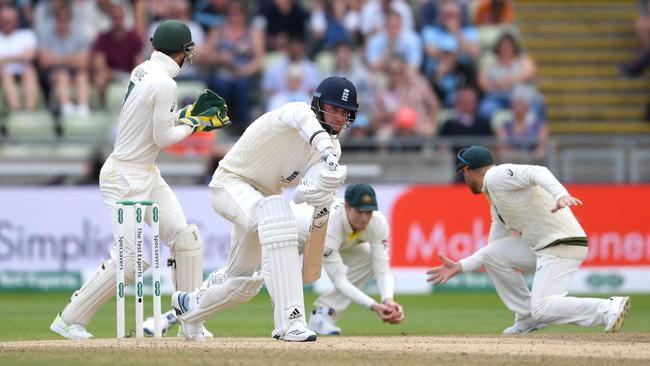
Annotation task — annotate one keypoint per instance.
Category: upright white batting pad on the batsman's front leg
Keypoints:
(281, 267)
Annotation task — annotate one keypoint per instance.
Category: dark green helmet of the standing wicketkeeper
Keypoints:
(172, 36)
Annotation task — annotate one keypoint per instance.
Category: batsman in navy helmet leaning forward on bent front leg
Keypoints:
(275, 151)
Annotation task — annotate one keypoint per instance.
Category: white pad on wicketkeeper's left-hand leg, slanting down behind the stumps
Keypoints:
(97, 291)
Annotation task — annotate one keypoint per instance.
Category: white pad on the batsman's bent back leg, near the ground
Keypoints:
(219, 297)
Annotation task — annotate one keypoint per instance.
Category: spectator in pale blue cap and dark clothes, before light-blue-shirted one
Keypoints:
(450, 74)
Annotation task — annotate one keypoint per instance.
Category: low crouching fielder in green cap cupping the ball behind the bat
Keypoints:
(356, 248)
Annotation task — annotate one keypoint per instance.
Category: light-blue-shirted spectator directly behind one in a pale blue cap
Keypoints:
(450, 29)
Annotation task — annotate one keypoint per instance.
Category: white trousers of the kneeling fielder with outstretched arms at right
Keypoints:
(547, 300)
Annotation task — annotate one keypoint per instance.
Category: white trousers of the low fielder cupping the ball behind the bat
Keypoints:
(358, 259)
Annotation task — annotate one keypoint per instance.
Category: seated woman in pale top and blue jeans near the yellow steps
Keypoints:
(497, 80)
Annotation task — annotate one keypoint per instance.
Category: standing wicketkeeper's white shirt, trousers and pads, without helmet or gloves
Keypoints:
(146, 125)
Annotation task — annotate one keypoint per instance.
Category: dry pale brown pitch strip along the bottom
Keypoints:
(555, 349)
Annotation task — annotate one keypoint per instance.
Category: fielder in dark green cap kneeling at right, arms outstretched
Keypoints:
(534, 230)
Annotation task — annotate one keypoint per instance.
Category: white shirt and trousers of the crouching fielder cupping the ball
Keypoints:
(351, 257)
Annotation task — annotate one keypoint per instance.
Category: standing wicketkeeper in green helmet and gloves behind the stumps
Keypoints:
(148, 122)
